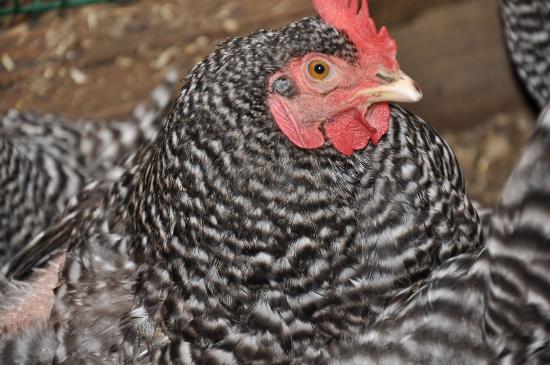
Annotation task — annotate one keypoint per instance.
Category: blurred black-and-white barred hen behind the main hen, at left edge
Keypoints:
(45, 160)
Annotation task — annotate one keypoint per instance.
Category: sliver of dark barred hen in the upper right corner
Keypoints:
(527, 33)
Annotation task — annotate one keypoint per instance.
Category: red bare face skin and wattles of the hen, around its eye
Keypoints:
(330, 108)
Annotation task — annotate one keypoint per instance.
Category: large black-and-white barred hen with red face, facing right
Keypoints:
(280, 208)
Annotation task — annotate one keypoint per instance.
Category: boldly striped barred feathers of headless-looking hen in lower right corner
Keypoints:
(487, 306)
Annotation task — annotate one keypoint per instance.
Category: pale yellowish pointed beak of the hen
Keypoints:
(400, 88)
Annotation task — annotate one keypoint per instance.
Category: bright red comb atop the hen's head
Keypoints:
(353, 18)
